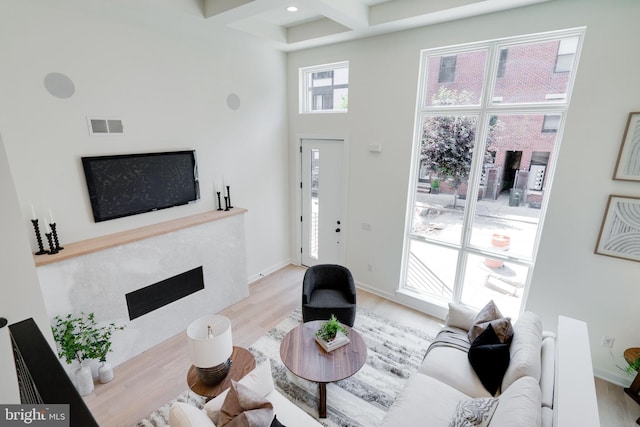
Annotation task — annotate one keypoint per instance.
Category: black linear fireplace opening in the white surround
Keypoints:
(152, 297)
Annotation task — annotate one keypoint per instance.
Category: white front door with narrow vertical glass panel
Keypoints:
(322, 201)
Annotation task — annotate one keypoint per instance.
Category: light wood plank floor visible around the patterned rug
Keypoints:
(153, 378)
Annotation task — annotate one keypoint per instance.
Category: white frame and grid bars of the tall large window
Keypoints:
(484, 111)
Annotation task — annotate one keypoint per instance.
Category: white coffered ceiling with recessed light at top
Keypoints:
(318, 22)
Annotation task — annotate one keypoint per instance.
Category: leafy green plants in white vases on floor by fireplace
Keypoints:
(80, 338)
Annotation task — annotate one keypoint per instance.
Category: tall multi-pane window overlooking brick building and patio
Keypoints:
(483, 168)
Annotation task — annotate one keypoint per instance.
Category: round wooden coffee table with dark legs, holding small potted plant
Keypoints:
(303, 356)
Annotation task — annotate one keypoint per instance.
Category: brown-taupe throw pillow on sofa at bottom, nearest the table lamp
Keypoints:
(244, 407)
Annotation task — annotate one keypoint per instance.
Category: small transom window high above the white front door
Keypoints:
(324, 88)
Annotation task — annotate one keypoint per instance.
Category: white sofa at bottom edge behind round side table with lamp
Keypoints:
(258, 380)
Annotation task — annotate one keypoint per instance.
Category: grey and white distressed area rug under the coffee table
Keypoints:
(394, 352)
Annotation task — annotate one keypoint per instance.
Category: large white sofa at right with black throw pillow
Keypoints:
(549, 380)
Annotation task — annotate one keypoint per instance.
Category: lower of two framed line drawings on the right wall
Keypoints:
(620, 231)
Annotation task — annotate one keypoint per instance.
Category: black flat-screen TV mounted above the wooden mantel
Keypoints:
(129, 184)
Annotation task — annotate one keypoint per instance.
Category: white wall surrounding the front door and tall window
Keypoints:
(569, 279)
